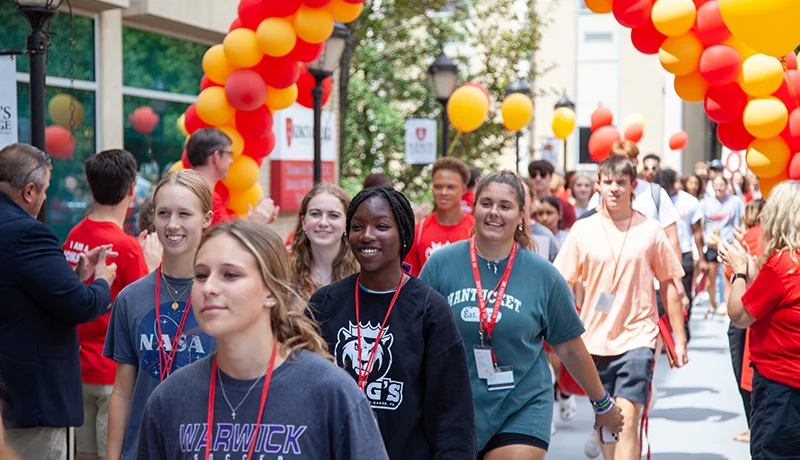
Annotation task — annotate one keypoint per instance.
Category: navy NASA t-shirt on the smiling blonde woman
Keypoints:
(133, 339)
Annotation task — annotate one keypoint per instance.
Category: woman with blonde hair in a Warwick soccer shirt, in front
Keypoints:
(271, 386)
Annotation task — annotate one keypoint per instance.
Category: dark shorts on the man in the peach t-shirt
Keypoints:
(628, 375)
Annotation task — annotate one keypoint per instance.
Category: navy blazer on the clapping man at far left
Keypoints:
(41, 302)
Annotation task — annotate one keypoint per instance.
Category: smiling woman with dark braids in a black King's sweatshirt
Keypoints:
(397, 337)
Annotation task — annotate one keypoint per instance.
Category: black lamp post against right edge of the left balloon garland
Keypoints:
(320, 69)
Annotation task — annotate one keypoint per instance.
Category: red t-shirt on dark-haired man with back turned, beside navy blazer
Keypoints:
(88, 234)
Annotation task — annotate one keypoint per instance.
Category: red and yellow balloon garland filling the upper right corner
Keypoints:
(737, 57)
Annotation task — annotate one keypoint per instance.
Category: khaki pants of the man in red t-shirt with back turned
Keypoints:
(92, 436)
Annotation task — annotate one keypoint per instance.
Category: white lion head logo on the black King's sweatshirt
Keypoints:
(350, 356)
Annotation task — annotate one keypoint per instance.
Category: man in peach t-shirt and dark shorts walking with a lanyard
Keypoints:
(617, 253)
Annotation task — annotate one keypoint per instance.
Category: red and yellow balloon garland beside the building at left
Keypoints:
(257, 70)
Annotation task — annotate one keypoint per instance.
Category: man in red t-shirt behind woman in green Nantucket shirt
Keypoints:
(448, 223)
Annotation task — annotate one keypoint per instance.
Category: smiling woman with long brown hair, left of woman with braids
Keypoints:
(321, 254)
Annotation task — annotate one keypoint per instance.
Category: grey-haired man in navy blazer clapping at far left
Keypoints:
(42, 300)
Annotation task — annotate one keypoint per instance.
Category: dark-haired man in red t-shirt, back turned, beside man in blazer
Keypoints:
(112, 179)
